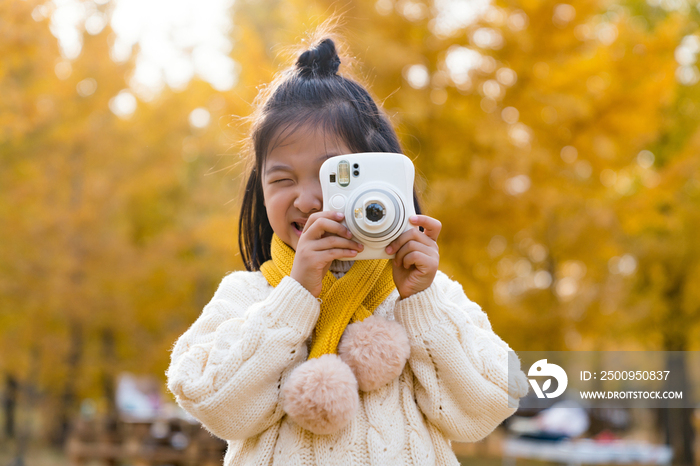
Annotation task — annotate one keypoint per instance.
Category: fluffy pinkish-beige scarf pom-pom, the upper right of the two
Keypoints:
(376, 350)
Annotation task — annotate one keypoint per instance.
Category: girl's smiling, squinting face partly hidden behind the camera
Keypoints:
(291, 188)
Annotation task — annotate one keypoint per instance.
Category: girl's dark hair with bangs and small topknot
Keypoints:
(308, 93)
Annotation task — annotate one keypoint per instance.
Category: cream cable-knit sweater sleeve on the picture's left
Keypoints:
(227, 370)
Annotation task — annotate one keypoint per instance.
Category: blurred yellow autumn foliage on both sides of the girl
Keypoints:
(117, 226)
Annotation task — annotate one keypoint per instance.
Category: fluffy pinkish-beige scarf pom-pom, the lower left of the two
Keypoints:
(321, 395)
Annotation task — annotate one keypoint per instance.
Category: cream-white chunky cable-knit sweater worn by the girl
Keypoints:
(228, 369)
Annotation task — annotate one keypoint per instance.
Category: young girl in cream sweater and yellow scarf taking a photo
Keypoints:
(306, 359)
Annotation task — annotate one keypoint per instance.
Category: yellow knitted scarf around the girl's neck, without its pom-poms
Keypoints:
(353, 298)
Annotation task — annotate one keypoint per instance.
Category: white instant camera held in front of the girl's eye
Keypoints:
(375, 192)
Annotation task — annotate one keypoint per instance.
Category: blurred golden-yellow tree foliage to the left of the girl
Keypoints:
(113, 236)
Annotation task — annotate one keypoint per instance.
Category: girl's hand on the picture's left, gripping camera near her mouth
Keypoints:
(323, 240)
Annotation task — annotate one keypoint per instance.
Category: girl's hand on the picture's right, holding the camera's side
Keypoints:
(417, 257)
